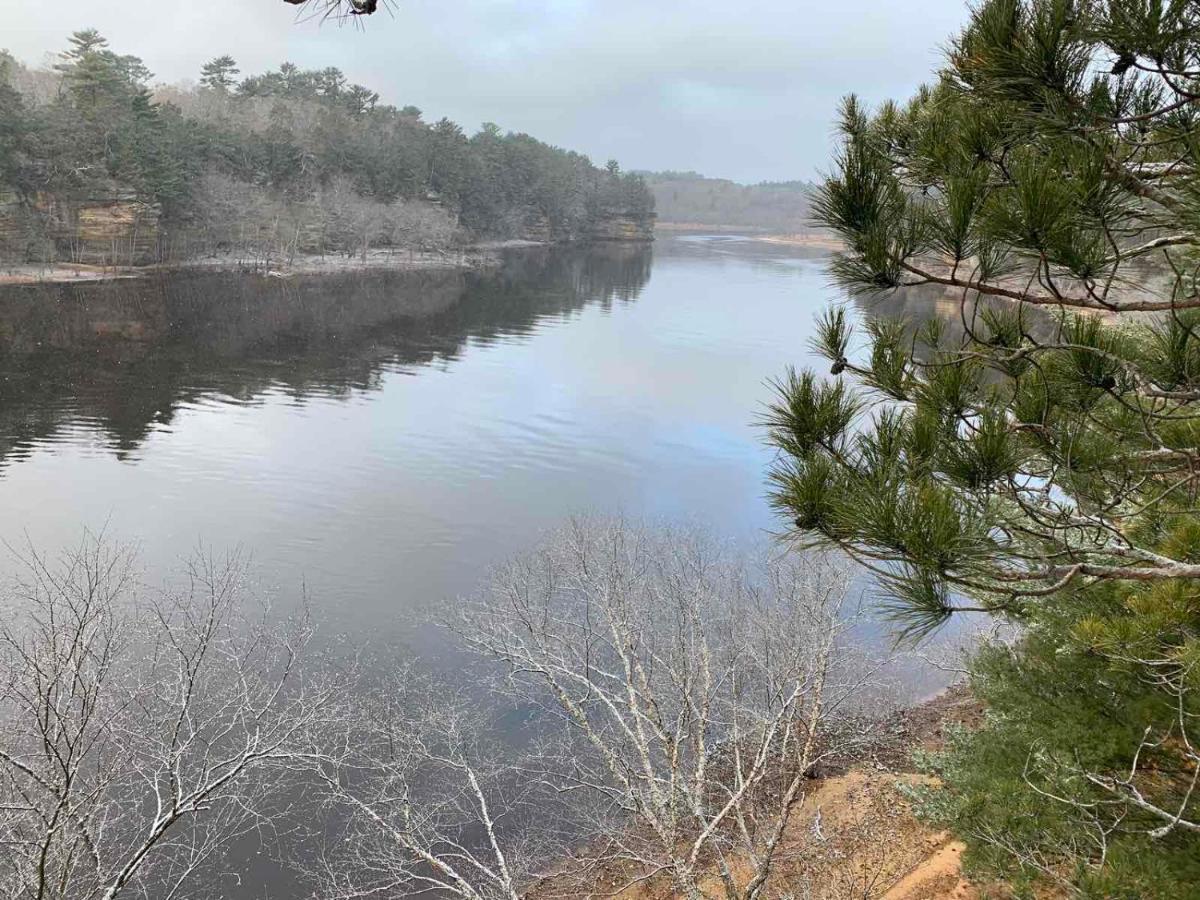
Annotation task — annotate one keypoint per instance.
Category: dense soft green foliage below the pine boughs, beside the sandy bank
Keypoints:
(1066, 706)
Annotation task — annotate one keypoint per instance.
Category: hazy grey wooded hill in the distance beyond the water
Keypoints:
(688, 199)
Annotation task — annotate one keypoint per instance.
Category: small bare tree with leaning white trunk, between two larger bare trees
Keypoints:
(418, 801)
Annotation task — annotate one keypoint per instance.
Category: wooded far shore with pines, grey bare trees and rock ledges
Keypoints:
(101, 165)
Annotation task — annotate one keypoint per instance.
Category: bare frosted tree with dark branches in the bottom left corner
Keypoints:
(140, 736)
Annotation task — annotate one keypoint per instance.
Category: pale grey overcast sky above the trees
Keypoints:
(742, 89)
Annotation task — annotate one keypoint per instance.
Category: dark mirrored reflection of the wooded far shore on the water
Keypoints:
(122, 357)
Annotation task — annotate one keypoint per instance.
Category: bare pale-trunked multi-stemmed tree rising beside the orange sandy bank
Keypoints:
(701, 697)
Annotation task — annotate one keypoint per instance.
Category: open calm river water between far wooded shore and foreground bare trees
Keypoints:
(383, 439)
